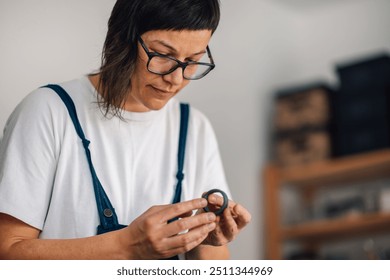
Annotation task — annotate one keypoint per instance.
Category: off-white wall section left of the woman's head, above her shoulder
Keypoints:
(47, 41)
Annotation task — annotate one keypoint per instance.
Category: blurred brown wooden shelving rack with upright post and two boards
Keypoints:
(308, 178)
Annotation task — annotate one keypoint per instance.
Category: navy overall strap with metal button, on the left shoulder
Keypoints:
(107, 215)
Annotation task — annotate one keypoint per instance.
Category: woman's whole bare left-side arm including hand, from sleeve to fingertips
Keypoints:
(149, 236)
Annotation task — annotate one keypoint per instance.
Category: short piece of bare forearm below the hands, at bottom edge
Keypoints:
(206, 252)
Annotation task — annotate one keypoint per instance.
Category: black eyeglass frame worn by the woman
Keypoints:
(180, 64)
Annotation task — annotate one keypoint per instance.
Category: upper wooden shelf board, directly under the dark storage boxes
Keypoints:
(348, 169)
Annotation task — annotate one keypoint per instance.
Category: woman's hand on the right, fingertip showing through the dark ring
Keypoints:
(229, 224)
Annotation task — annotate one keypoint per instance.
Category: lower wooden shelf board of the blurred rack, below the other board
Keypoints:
(340, 227)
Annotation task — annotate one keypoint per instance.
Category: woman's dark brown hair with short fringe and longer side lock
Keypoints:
(130, 19)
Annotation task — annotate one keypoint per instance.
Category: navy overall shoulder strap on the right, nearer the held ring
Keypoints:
(184, 116)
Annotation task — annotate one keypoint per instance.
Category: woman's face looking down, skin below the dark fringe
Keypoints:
(151, 91)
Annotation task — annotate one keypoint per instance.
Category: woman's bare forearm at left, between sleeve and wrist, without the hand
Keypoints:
(96, 247)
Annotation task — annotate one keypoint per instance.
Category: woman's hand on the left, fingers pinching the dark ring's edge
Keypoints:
(151, 236)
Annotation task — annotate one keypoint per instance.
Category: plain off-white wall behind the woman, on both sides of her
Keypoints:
(260, 45)
